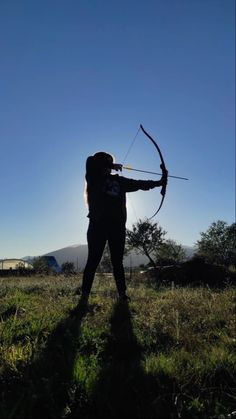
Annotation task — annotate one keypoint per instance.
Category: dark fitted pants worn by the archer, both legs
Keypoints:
(100, 232)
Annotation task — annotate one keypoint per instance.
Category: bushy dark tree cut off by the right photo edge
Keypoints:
(217, 244)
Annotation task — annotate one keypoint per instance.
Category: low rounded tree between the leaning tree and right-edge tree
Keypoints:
(170, 253)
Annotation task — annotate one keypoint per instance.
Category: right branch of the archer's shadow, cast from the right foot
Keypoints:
(123, 389)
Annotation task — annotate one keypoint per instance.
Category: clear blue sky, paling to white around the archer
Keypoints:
(79, 76)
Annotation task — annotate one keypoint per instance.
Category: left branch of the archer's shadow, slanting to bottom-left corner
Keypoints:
(44, 388)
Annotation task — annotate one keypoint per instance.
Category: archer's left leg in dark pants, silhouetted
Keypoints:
(96, 237)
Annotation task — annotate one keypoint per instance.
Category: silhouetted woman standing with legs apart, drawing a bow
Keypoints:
(106, 198)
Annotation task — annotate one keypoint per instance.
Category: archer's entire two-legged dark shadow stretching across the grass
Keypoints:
(123, 389)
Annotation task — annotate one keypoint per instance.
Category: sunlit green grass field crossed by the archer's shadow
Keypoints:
(169, 353)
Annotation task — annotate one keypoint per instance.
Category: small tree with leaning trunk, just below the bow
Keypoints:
(146, 237)
